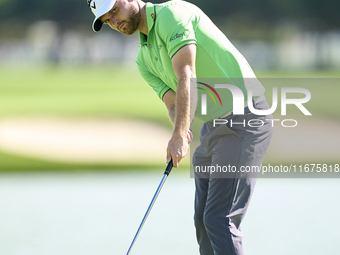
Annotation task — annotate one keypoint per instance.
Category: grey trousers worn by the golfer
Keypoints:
(222, 197)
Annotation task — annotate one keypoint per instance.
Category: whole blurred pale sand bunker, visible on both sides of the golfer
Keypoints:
(121, 141)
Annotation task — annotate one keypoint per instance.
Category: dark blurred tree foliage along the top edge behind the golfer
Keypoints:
(15, 15)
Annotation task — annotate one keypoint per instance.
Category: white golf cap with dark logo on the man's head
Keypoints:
(99, 8)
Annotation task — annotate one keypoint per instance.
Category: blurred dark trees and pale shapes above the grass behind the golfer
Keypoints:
(273, 35)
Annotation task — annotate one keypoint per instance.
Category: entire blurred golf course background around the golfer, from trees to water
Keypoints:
(83, 137)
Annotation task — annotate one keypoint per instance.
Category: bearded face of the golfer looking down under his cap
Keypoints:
(124, 16)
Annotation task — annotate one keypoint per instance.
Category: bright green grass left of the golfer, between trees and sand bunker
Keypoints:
(103, 92)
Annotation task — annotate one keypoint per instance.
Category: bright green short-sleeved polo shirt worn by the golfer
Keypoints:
(171, 26)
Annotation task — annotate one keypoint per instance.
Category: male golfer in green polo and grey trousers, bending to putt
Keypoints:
(180, 48)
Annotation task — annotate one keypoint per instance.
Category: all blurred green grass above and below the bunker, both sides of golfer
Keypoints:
(118, 92)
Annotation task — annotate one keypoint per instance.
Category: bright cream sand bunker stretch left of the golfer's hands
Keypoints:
(68, 140)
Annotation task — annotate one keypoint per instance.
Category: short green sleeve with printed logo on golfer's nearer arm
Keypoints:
(175, 27)
